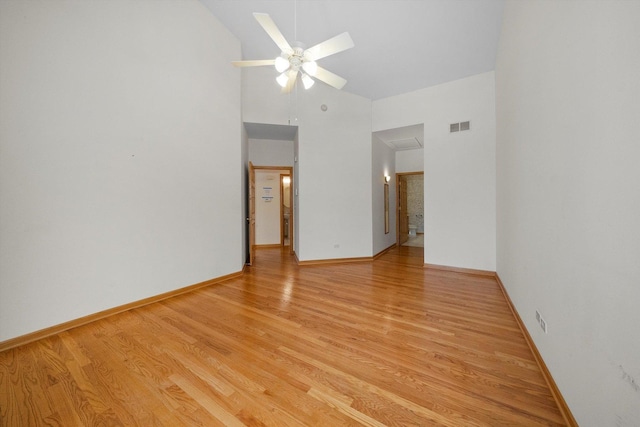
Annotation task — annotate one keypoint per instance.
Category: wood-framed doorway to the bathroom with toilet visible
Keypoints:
(410, 209)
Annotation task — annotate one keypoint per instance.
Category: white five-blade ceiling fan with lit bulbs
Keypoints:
(297, 59)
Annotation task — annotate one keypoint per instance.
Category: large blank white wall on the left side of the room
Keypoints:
(119, 129)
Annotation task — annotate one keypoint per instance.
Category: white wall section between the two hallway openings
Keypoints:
(334, 160)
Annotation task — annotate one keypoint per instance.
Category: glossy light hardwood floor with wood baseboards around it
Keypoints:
(379, 343)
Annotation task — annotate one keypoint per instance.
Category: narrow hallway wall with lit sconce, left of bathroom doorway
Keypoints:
(383, 163)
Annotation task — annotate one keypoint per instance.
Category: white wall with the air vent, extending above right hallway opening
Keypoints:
(459, 168)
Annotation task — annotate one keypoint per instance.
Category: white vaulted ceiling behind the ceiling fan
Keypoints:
(400, 45)
